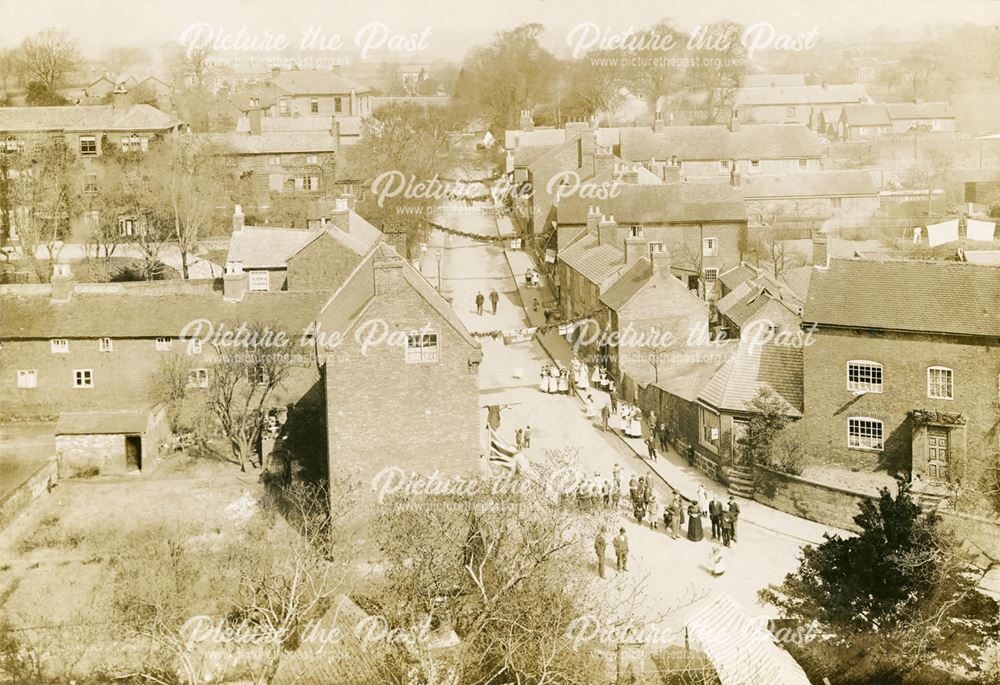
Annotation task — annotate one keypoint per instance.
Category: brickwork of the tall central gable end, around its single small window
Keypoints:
(384, 412)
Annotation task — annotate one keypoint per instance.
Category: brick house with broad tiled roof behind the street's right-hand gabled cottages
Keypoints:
(703, 225)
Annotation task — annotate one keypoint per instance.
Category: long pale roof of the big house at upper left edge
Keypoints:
(85, 118)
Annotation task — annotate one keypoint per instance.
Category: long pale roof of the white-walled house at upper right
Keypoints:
(759, 141)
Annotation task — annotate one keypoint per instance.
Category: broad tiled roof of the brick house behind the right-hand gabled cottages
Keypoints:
(667, 203)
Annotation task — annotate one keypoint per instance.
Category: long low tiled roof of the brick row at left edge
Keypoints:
(140, 312)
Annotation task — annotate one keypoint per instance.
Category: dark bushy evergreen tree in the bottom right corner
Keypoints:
(888, 599)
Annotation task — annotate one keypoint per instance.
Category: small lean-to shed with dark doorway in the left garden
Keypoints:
(108, 442)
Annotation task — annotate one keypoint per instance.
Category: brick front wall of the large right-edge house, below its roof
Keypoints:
(904, 359)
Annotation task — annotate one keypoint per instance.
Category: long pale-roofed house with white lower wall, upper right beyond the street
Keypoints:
(719, 152)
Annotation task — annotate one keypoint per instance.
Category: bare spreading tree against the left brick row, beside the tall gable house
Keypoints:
(242, 381)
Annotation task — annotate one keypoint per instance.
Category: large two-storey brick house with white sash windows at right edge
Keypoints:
(903, 374)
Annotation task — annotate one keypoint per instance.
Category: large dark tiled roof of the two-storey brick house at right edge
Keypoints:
(924, 296)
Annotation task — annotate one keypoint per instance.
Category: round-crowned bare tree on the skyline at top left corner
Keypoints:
(46, 60)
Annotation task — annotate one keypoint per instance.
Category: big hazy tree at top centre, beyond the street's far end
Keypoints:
(510, 74)
